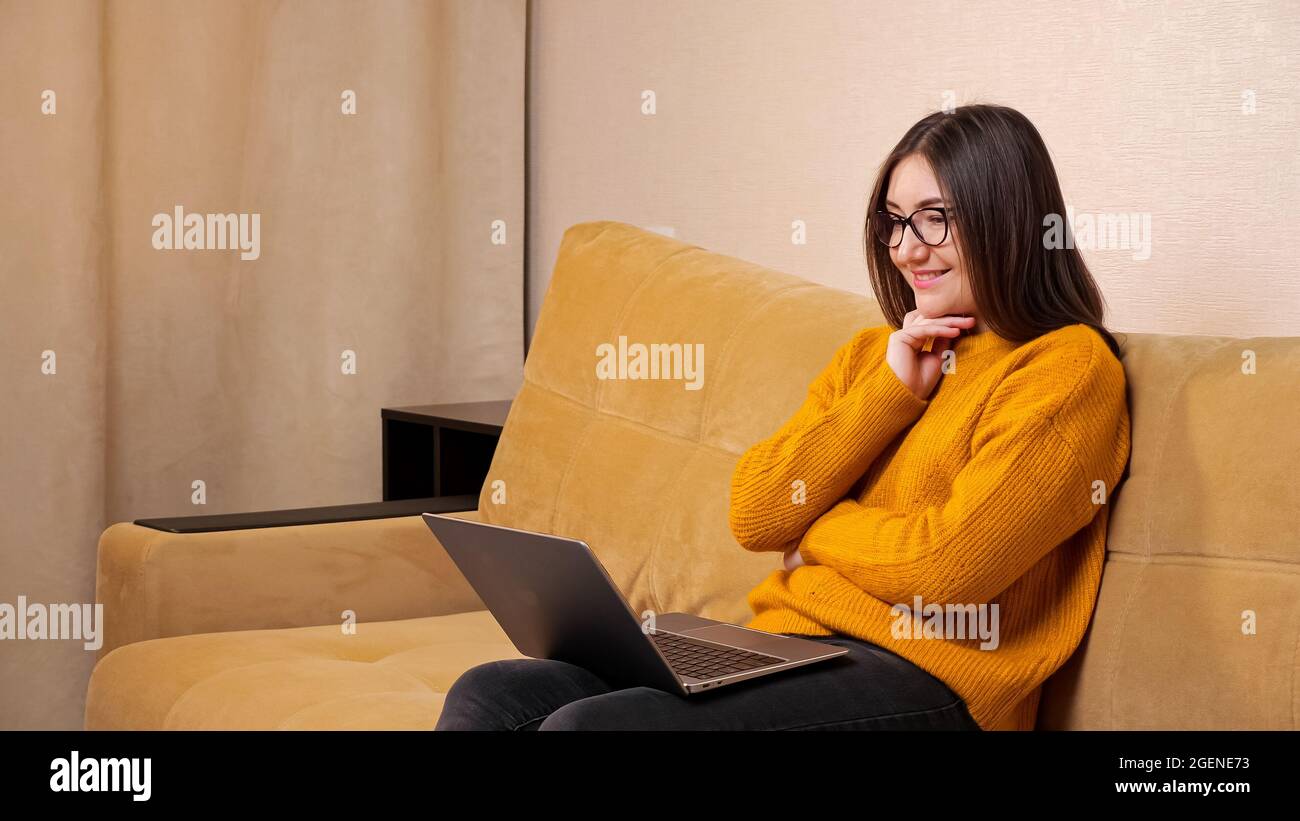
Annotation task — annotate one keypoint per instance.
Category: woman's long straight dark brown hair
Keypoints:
(996, 175)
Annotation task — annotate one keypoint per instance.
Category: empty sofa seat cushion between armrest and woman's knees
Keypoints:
(388, 676)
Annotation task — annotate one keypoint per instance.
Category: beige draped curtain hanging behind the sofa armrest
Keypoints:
(389, 238)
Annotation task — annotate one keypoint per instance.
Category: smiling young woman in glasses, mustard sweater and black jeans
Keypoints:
(941, 501)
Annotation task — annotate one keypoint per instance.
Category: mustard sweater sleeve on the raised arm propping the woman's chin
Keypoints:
(855, 409)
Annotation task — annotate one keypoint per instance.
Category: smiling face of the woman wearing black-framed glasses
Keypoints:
(913, 186)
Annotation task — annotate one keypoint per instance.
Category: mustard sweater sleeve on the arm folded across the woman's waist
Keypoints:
(1047, 436)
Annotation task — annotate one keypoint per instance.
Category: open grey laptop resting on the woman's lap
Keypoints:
(554, 601)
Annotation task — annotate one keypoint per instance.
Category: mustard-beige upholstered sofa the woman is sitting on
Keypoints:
(242, 629)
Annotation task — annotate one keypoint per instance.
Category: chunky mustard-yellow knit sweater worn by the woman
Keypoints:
(993, 492)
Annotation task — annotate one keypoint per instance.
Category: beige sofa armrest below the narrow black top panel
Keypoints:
(157, 584)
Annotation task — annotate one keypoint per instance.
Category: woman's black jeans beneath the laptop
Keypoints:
(869, 689)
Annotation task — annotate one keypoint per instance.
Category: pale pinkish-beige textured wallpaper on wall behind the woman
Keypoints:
(756, 129)
